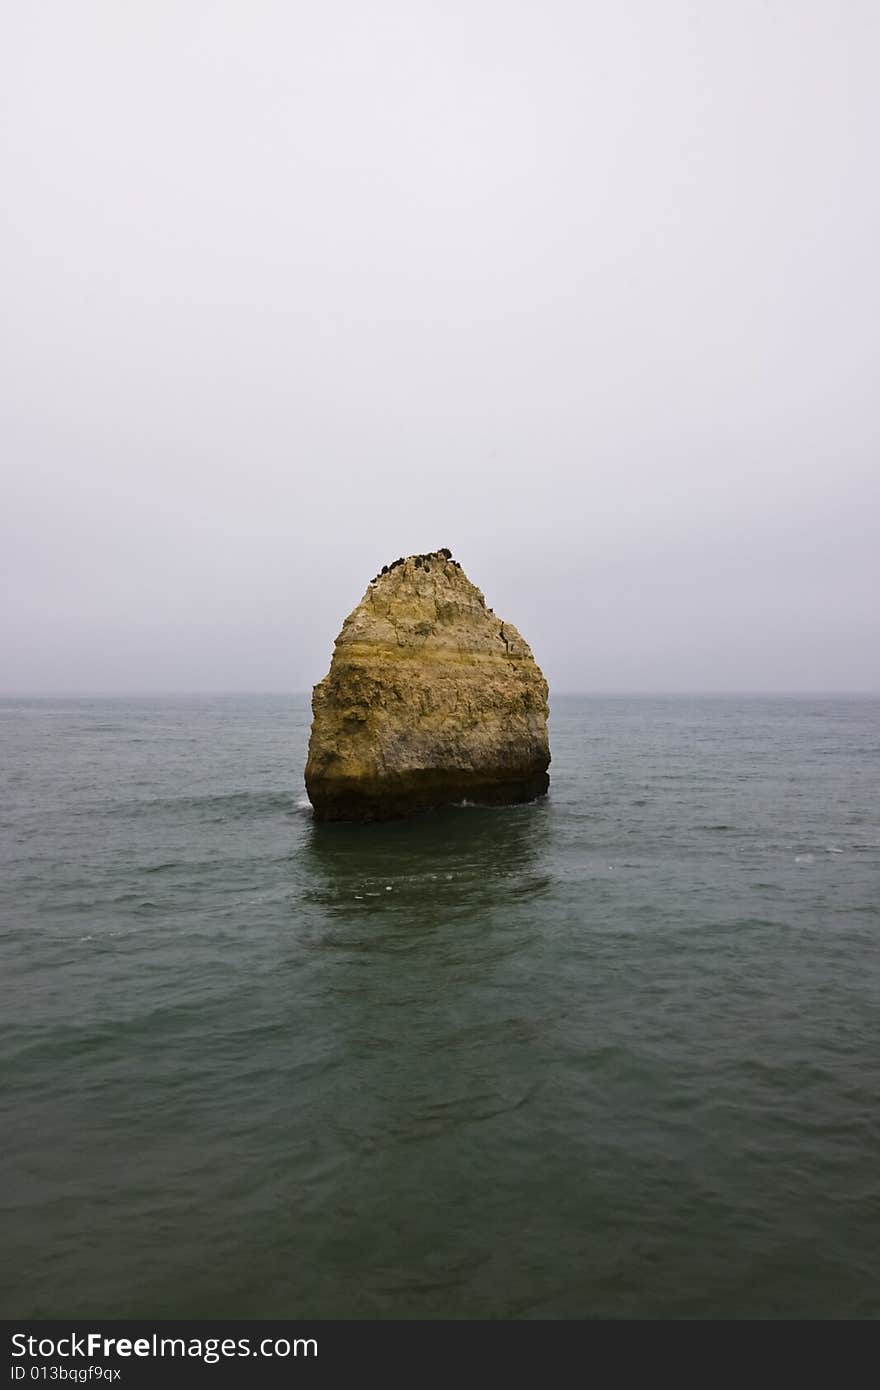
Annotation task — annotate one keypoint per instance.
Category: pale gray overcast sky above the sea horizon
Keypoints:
(589, 293)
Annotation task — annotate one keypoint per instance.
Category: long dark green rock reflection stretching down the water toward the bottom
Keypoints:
(422, 939)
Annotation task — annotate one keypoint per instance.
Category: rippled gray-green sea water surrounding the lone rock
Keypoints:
(615, 1054)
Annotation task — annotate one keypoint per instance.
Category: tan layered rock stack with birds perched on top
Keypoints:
(430, 700)
